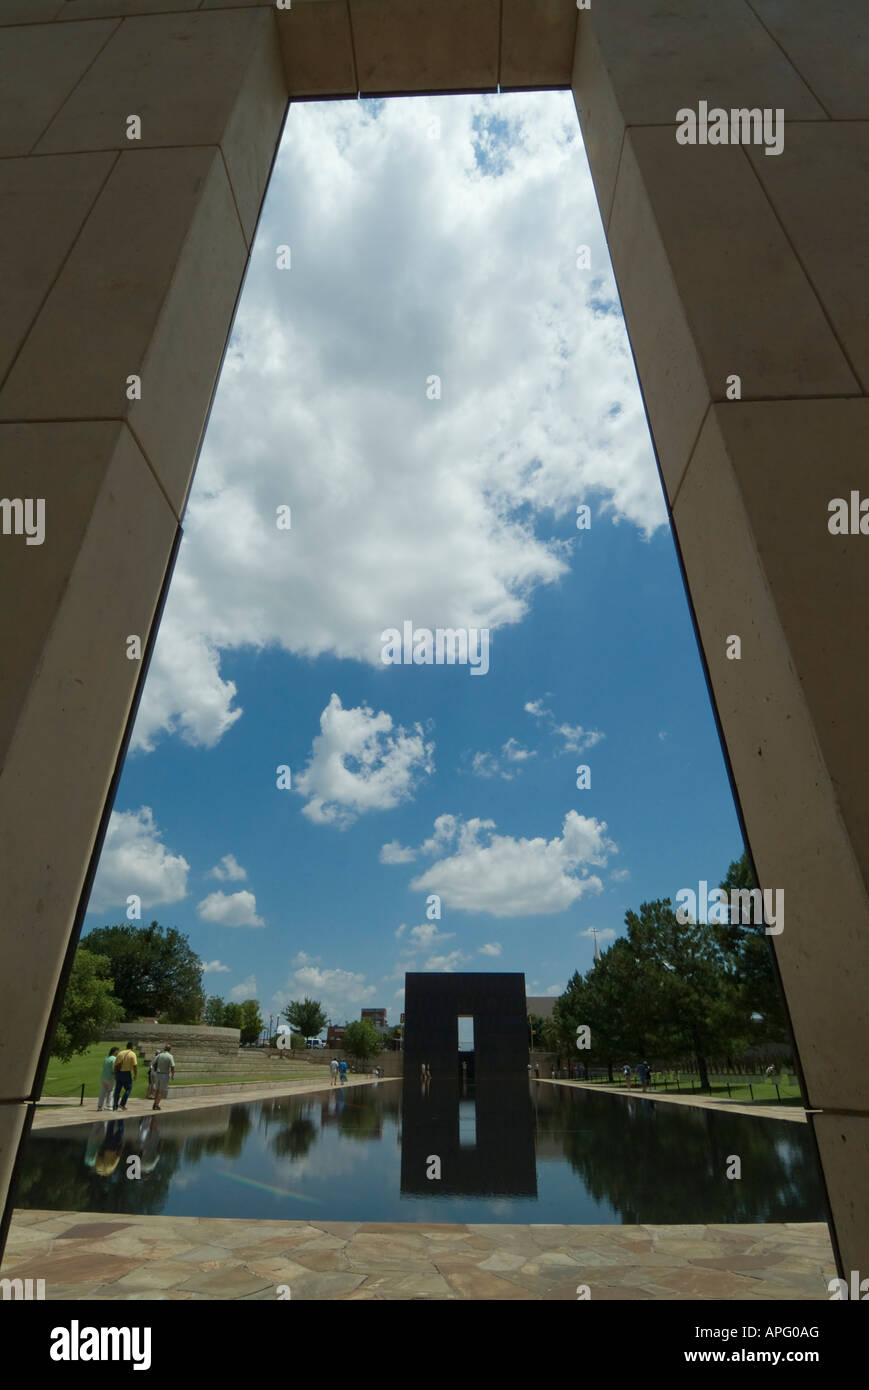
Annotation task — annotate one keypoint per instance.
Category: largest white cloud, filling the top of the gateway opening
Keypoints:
(404, 508)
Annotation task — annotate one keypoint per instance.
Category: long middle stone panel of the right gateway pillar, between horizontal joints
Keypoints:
(747, 508)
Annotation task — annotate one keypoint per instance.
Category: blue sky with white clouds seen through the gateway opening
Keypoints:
(429, 237)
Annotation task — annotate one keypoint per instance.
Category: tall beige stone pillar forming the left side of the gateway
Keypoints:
(122, 258)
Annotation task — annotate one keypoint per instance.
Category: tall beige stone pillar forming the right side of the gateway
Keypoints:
(729, 262)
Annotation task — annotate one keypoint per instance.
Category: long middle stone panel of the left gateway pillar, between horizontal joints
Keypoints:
(109, 536)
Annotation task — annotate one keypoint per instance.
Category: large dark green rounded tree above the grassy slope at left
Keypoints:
(155, 971)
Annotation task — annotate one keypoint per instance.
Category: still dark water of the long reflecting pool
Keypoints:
(523, 1153)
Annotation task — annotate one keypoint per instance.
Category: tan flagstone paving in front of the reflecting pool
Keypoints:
(86, 1256)
